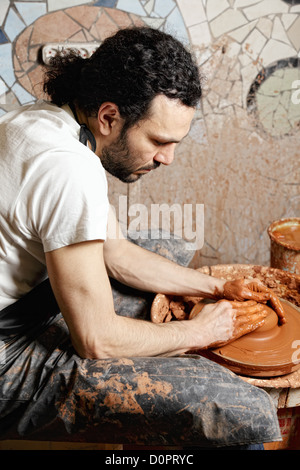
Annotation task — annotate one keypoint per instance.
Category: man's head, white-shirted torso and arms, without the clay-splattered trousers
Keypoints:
(123, 110)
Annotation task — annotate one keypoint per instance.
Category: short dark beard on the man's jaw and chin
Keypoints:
(120, 162)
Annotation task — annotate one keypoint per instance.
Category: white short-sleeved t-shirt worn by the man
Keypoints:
(53, 193)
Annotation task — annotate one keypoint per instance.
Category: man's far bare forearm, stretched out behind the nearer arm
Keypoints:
(147, 271)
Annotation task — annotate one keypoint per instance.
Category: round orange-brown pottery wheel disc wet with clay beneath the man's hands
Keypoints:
(269, 351)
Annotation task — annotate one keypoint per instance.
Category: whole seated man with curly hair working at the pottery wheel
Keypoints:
(123, 111)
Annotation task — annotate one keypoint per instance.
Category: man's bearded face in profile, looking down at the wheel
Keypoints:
(150, 142)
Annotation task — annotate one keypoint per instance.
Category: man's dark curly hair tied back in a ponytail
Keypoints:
(129, 69)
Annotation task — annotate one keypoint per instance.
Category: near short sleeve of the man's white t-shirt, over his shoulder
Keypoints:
(64, 201)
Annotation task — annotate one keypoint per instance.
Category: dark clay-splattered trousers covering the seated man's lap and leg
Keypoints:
(47, 392)
